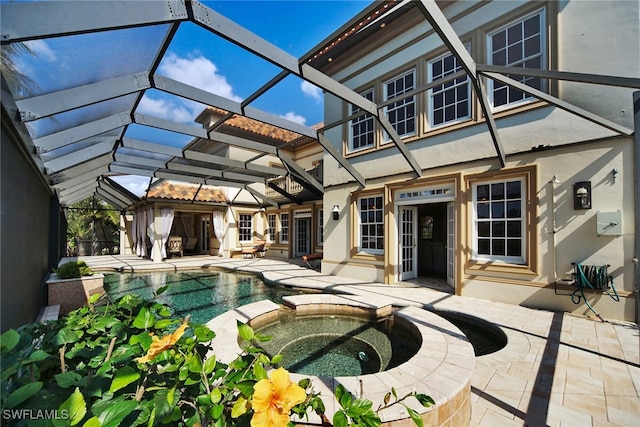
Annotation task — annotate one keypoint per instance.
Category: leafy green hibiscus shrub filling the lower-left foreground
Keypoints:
(131, 363)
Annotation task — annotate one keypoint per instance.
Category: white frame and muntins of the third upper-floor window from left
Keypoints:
(445, 88)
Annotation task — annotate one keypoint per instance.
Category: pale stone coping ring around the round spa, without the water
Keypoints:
(442, 367)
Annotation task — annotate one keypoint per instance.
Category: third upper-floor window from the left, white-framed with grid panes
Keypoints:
(449, 102)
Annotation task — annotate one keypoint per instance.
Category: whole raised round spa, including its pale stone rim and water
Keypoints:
(365, 345)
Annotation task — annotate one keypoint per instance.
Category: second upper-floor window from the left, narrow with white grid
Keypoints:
(401, 113)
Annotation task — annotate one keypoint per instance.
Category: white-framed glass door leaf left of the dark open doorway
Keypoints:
(408, 239)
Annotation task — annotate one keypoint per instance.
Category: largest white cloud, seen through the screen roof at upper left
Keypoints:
(198, 72)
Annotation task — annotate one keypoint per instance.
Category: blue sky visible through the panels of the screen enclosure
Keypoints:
(196, 57)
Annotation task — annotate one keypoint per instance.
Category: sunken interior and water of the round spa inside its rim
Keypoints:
(338, 344)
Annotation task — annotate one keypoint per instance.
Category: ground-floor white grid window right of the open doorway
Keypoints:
(499, 211)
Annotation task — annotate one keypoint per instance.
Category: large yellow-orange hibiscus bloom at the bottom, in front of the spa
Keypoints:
(273, 399)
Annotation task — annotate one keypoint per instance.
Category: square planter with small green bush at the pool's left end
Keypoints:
(72, 284)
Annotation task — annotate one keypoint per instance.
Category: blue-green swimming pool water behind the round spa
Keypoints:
(203, 294)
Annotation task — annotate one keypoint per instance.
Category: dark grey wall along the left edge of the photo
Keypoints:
(24, 247)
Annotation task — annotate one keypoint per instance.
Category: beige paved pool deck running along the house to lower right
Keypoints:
(557, 368)
